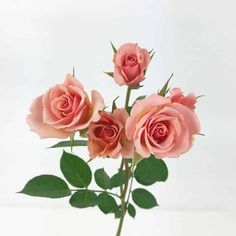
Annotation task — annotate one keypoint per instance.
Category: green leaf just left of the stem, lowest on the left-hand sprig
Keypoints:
(107, 203)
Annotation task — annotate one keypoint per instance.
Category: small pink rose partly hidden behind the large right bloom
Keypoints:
(176, 95)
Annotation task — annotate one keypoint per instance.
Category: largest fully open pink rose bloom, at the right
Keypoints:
(161, 127)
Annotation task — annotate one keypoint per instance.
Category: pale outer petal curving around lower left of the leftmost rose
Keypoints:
(35, 121)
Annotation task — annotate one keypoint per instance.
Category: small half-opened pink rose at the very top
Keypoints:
(131, 62)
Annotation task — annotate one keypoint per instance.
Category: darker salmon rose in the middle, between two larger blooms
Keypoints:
(106, 137)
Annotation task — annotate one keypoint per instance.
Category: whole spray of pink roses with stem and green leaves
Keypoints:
(141, 134)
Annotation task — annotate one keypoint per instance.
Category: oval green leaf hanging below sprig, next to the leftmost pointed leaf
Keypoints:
(83, 199)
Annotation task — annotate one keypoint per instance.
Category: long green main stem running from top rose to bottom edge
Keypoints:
(127, 175)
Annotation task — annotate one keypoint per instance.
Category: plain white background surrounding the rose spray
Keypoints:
(40, 42)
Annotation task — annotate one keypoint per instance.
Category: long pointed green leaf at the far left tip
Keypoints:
(49, 186)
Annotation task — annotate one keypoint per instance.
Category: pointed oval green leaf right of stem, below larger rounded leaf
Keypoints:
(144, 198)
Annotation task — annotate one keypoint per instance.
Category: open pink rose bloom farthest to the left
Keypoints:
(64, 109)
